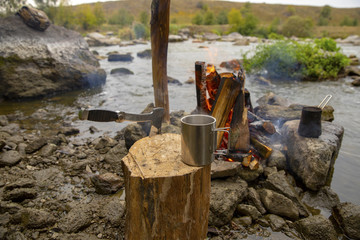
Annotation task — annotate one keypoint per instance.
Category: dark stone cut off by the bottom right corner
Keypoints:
(347, 215)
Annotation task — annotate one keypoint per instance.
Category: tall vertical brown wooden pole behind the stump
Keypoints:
(160, 12)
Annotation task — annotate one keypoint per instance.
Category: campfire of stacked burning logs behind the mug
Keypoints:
(225, 97)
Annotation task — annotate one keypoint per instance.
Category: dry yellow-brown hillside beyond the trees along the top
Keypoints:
(185, 9)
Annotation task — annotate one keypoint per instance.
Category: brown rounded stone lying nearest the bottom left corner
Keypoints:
(33, 218)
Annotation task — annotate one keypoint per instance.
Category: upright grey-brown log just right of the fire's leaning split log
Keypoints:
(240, 135)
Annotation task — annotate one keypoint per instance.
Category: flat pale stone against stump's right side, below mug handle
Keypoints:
(222, 169)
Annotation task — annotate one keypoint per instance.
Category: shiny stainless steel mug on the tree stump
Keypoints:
(198, 139)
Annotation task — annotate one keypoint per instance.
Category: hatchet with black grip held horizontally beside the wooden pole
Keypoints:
(155, 116)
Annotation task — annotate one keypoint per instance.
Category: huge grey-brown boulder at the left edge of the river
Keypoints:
(35, 63)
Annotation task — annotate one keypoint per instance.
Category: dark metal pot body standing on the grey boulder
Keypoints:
(310, 122)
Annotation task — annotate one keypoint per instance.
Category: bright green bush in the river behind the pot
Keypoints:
(298, 61)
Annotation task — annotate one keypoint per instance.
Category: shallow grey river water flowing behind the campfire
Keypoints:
(133, 92)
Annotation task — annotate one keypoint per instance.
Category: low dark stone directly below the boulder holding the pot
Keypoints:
(324, 198)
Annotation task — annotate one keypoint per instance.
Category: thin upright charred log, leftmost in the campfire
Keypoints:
(200, 78)
